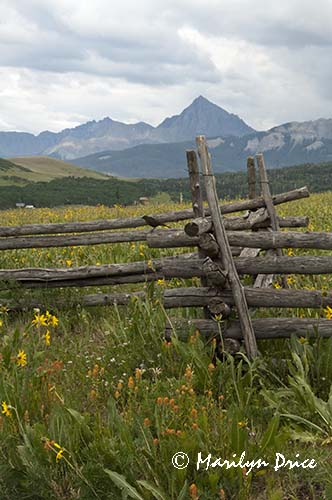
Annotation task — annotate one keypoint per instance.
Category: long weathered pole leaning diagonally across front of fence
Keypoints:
(226, 254)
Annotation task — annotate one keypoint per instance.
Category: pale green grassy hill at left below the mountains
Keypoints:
(22, 170)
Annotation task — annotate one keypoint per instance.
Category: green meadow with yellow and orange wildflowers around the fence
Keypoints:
(95, 403)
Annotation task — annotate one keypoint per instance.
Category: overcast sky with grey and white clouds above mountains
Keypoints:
(64, 62)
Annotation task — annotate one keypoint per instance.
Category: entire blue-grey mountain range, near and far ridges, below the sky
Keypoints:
(141, 150)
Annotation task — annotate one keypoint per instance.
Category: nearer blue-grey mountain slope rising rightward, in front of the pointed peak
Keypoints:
(289, 144)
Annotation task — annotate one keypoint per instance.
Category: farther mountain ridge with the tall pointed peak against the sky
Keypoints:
(202, 116)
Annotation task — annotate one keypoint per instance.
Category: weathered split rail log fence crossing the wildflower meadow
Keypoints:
(227, 249)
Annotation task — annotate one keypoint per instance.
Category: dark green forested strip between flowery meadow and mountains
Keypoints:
(112, 191)
